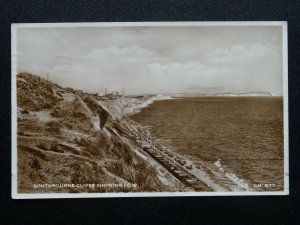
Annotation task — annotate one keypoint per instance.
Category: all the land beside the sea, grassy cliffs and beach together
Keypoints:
(122, 151)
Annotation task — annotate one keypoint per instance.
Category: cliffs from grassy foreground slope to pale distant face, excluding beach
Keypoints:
(59, 141)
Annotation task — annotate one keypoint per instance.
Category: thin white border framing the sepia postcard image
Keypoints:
(14, 27)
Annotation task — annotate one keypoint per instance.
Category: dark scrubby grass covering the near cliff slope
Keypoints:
(38, 142)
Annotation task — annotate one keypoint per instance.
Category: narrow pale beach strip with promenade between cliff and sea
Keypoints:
(185, 170)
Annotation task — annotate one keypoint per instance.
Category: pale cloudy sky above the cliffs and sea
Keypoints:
(156, 60)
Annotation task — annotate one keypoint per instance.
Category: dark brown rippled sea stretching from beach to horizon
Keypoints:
(241, 135)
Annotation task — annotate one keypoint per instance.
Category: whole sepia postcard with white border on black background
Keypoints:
(149, 109)
